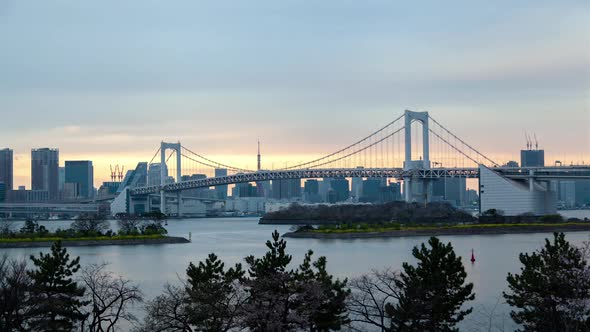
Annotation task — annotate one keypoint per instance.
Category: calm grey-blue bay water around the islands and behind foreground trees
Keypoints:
(234, 238)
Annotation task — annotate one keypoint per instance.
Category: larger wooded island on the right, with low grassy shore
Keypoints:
(399, 219)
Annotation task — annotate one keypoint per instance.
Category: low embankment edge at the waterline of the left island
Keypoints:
(88, 243)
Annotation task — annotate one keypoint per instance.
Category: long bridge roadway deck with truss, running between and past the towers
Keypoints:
(543, 173)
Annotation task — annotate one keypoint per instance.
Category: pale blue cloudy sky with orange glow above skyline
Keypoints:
(108, 80)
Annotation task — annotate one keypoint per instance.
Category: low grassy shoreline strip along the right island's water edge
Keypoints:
(499, 230)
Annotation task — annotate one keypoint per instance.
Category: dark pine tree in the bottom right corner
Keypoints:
(552, 291)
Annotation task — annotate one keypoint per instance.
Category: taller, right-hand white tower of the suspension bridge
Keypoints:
(424, 162)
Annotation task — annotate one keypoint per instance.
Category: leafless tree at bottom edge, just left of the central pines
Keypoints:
(168, 312)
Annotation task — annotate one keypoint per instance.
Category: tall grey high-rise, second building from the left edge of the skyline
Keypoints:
(45, 171)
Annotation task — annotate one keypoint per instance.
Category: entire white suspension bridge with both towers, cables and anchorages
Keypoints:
(414, 149)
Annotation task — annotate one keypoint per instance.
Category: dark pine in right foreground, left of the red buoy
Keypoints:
(431, 293)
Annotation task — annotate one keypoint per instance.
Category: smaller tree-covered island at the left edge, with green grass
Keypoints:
(91, 230)
